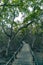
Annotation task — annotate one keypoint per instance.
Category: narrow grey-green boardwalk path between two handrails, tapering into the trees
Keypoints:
(24, 57)
